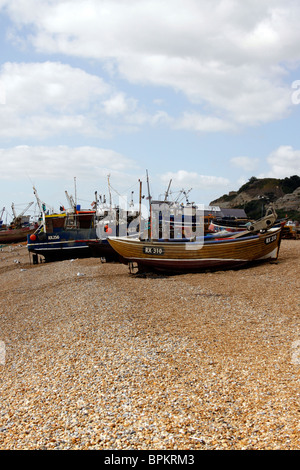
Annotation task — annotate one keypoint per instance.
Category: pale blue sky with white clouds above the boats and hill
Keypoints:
(205, 93)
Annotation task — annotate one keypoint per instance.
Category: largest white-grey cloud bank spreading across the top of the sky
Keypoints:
(228, 55)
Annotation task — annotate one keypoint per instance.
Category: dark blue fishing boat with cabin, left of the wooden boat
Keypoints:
(80, 233)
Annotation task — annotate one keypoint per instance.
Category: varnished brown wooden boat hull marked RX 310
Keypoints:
(202, 253)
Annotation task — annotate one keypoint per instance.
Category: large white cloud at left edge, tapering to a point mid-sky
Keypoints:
(51, 98)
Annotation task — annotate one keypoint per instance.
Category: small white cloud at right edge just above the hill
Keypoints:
(284, 162)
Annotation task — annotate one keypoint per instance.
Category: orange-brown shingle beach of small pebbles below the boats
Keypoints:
(92, 357)
